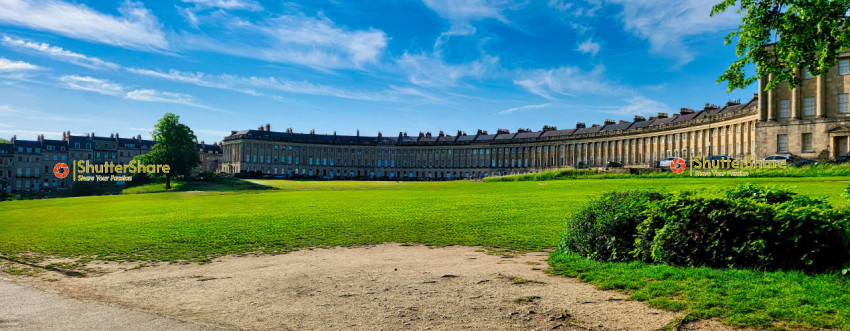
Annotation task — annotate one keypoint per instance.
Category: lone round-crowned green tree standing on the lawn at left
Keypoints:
(175, 146)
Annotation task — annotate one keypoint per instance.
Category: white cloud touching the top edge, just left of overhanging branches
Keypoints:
(667, 25)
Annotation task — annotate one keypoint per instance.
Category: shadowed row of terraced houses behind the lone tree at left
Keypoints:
(27, 165)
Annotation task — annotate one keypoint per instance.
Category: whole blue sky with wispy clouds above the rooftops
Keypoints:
(390, 66)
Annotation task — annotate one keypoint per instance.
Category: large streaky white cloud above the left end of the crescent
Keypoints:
(315, 42)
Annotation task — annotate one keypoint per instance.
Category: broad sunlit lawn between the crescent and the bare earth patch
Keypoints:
(198, 226)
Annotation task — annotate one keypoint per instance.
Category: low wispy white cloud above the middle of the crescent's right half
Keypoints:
(568, 81)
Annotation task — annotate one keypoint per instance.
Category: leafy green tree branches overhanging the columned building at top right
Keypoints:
(780, 36)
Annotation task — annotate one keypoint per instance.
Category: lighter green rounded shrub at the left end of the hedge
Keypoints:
(605, 229)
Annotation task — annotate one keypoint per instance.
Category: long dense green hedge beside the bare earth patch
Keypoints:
(745, 227)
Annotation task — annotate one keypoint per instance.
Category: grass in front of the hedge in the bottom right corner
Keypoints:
(764, 300)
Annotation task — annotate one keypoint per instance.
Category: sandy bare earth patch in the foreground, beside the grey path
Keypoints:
(383, 287)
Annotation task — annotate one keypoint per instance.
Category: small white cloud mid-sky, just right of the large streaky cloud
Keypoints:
(430, 71)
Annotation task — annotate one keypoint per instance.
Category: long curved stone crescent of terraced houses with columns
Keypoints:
(812, 121)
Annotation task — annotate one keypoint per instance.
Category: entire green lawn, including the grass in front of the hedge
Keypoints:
(525, 215)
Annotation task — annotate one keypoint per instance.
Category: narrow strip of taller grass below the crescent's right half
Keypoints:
(821, 170)
